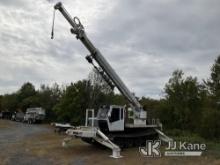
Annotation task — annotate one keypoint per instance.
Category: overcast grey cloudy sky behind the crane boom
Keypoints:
(144, 41)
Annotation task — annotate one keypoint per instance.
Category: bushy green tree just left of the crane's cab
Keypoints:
(73, 104)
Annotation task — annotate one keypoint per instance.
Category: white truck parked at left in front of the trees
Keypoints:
(34, 115)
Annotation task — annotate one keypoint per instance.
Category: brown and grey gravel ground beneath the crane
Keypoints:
(24, 144)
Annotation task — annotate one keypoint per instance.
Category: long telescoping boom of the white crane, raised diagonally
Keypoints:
(78, 30)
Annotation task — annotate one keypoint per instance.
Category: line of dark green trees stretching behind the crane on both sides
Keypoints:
(188, 105)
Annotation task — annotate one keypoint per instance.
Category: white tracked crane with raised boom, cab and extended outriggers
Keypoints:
(115, 126)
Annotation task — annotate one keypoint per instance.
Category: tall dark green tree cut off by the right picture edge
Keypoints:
(210, 126)
